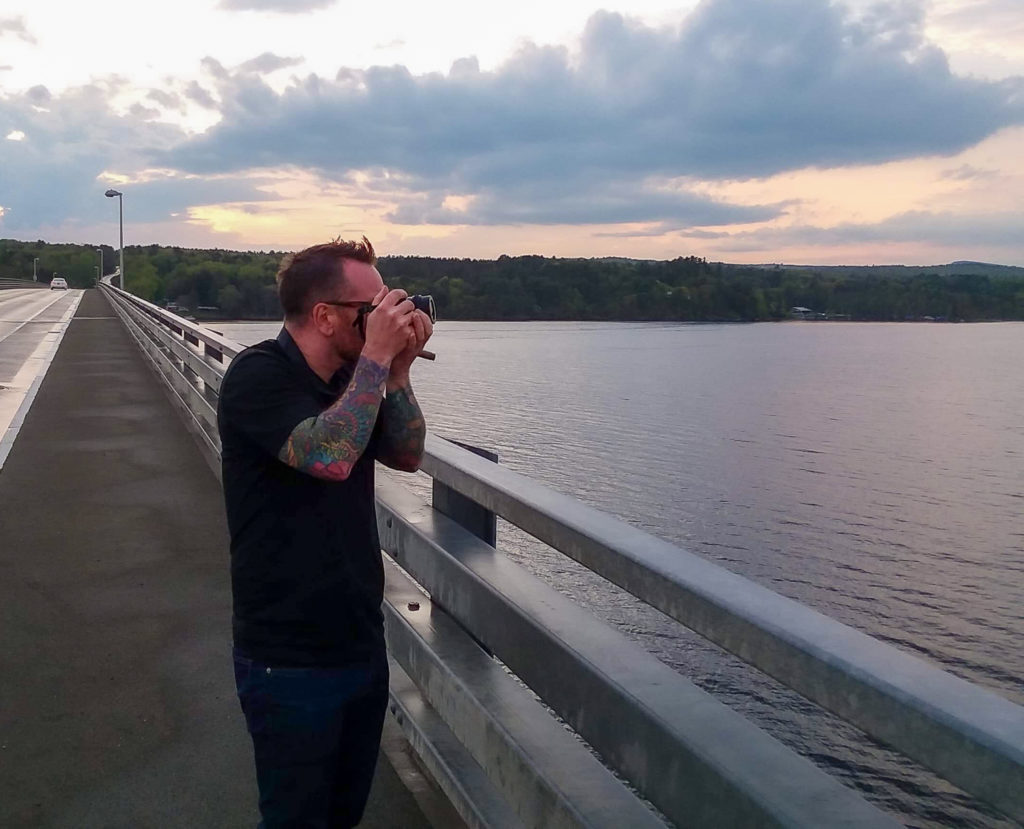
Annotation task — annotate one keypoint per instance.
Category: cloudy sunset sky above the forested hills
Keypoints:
(797, 132)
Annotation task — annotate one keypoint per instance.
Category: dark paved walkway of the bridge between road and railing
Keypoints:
(117, 702)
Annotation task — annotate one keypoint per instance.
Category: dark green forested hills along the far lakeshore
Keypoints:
(240, 285)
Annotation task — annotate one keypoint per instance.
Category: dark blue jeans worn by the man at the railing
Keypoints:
(316, 736)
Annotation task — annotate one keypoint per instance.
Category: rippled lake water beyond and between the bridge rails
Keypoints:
(873, 472)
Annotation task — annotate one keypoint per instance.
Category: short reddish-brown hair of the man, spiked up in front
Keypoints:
(311, 276)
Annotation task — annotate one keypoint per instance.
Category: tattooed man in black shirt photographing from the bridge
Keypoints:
(303, 419)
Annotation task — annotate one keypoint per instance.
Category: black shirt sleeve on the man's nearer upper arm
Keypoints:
(262, 399)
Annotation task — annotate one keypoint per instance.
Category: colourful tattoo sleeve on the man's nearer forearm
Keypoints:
(328, 447)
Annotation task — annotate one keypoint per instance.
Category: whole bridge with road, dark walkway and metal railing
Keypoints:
(511, 707)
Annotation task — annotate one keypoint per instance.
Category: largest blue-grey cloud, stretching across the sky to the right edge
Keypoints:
(745, 89)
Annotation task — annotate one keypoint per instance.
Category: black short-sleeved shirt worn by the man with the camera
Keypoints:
(307, 572)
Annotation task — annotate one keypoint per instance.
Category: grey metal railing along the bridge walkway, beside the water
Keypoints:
(498, 751)
